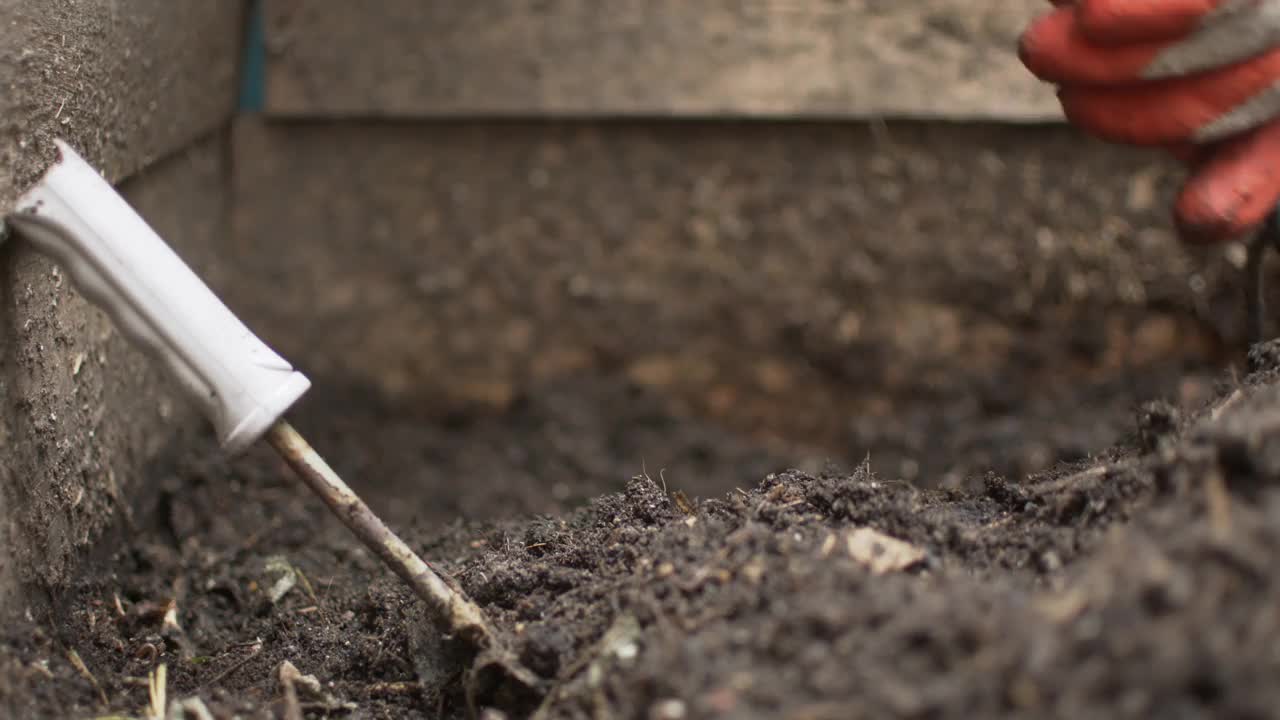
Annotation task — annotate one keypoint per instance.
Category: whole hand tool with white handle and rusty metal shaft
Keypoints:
(244, 389)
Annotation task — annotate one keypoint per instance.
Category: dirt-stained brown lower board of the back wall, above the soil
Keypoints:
(862, 274)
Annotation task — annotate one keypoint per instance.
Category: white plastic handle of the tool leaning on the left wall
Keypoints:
(122, 266)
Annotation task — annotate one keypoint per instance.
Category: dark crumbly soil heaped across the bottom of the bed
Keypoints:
(644, 566)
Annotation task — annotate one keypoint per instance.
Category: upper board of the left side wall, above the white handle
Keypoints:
(124, 83)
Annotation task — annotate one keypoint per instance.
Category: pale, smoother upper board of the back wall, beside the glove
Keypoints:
(847, 58)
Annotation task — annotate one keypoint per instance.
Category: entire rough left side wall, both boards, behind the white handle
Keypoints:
(144, 92)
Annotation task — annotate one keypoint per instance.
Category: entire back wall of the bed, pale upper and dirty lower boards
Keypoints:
(720, 199)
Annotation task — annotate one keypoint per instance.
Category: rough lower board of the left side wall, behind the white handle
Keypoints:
(86, 411)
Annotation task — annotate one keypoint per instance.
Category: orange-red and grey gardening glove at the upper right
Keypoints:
(1197, 78)
